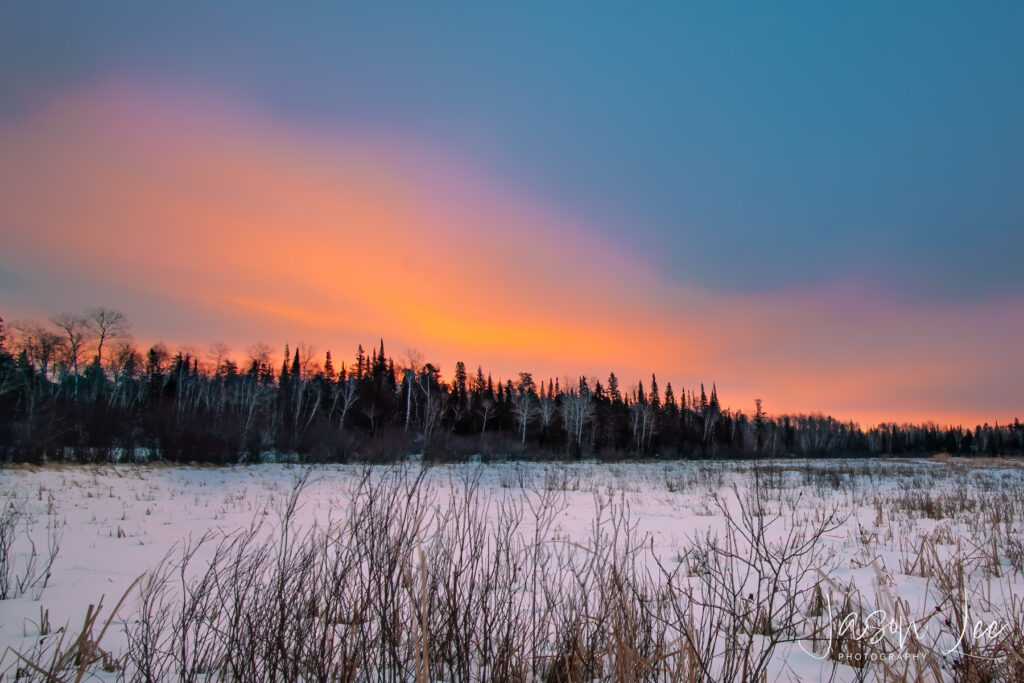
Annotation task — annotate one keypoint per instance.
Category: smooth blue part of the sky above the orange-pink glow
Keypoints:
(866, 155)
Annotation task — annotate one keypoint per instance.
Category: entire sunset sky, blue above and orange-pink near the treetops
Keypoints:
(819, 206)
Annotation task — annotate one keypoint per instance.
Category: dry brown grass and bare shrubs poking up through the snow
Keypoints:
(403, 584)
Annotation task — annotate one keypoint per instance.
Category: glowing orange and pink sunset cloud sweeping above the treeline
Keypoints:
(239, 226)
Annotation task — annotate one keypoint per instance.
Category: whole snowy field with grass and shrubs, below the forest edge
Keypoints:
(787, 570)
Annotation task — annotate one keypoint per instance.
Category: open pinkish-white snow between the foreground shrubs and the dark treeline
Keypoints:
(117, 523)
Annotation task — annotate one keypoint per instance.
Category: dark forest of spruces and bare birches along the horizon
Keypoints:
(78, 390)
